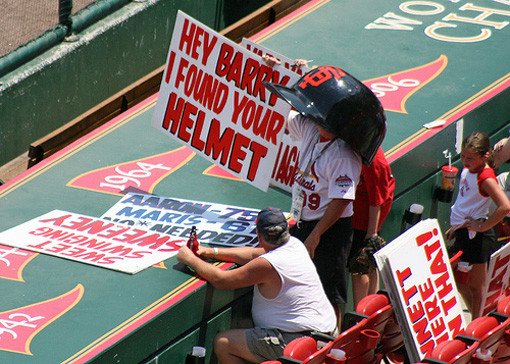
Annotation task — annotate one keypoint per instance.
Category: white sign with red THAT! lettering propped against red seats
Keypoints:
(416, 270)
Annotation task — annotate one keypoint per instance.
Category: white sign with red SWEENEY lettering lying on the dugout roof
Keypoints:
(92, 241)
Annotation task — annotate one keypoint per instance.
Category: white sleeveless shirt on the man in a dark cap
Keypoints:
(301, 303)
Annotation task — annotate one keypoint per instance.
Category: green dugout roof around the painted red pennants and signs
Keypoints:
(110, 297)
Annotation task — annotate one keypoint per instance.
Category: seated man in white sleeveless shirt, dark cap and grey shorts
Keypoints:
(288, 299)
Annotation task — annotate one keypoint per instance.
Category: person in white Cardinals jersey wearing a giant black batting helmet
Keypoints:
(341, 124)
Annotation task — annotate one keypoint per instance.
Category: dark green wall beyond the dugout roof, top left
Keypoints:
(71, 78)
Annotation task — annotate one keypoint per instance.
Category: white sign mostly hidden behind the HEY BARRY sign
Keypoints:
(287, 159)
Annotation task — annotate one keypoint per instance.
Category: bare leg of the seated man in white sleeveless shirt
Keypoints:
(231, 347)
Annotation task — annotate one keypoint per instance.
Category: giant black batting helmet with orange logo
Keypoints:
(341, 104)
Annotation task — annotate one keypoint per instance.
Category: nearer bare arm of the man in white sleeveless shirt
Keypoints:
(256, 271)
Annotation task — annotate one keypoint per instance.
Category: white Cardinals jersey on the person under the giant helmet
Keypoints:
(333, 174)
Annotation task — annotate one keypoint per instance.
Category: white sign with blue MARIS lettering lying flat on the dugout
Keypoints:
(216, 223)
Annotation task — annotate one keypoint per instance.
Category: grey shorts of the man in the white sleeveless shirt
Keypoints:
(268, 344)
